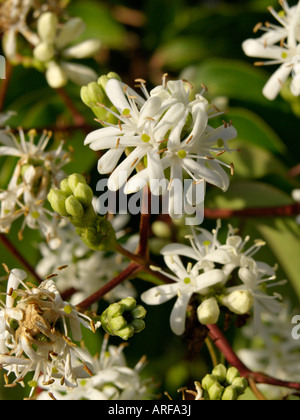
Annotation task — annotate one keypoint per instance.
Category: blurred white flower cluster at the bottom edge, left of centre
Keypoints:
(112, 379)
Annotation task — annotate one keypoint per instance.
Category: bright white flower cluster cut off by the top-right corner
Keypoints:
(279, 45)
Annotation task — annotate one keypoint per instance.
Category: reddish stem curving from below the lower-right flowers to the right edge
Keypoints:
(223, 345)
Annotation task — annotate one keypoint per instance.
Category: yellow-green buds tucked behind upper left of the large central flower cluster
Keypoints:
(94, 96)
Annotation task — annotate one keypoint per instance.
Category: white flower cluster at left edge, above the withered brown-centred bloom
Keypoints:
(35, 172)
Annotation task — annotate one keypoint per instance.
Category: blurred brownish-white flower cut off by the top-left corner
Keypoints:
(13, 17)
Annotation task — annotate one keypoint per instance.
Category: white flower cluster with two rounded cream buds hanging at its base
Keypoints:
(209, 273)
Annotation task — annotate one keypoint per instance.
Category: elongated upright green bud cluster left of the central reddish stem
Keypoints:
(74, 200)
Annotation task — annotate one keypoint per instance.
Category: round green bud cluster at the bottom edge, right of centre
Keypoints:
(223, 384)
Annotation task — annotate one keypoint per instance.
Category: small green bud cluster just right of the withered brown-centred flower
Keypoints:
(123, 319)
